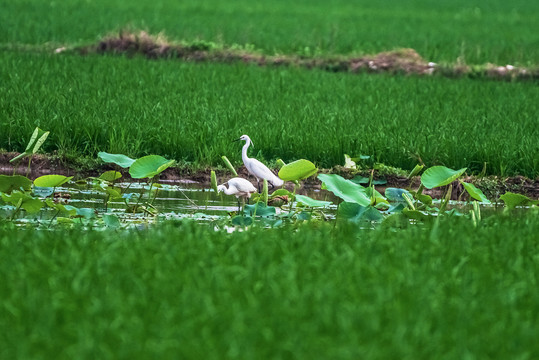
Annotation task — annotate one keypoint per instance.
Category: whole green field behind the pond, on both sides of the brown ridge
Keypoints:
(191, 112)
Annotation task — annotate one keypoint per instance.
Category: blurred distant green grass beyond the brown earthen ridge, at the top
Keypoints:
(477, 31)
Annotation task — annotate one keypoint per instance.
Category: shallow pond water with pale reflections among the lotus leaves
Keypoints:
(178, 200)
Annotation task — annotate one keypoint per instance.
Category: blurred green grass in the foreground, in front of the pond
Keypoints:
(449, 292)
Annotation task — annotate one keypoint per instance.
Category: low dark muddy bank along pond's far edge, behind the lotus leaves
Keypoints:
(492, 186)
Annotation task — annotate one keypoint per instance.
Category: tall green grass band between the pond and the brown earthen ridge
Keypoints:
(192, 112)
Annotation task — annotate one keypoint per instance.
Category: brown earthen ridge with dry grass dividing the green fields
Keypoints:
(400, 61)
